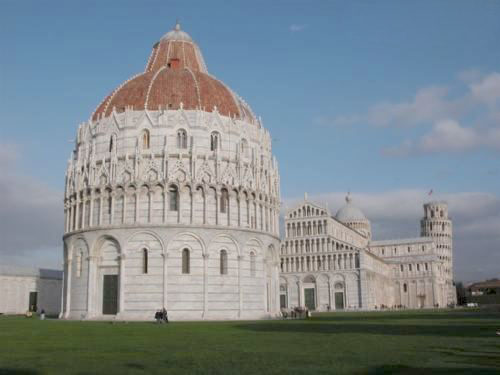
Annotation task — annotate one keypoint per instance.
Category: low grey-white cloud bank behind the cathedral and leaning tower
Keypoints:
(396, 214)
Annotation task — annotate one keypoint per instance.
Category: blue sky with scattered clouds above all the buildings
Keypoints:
(385, 99)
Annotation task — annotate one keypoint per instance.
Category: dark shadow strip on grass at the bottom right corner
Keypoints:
(401, 369)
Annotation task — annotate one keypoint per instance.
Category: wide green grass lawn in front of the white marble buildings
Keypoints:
(415, 342)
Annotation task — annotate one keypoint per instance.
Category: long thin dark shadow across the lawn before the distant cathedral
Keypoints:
(315, 326)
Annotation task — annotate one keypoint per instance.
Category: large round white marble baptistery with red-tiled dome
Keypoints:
(172, 199)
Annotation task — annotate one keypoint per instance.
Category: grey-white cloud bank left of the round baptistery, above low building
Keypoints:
(31, 215)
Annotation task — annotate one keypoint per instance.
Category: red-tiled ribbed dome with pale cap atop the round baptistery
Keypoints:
(175, 77)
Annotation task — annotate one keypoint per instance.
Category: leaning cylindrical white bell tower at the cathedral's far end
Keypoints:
(437, 224)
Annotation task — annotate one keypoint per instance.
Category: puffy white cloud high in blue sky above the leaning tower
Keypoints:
(445, 111)
